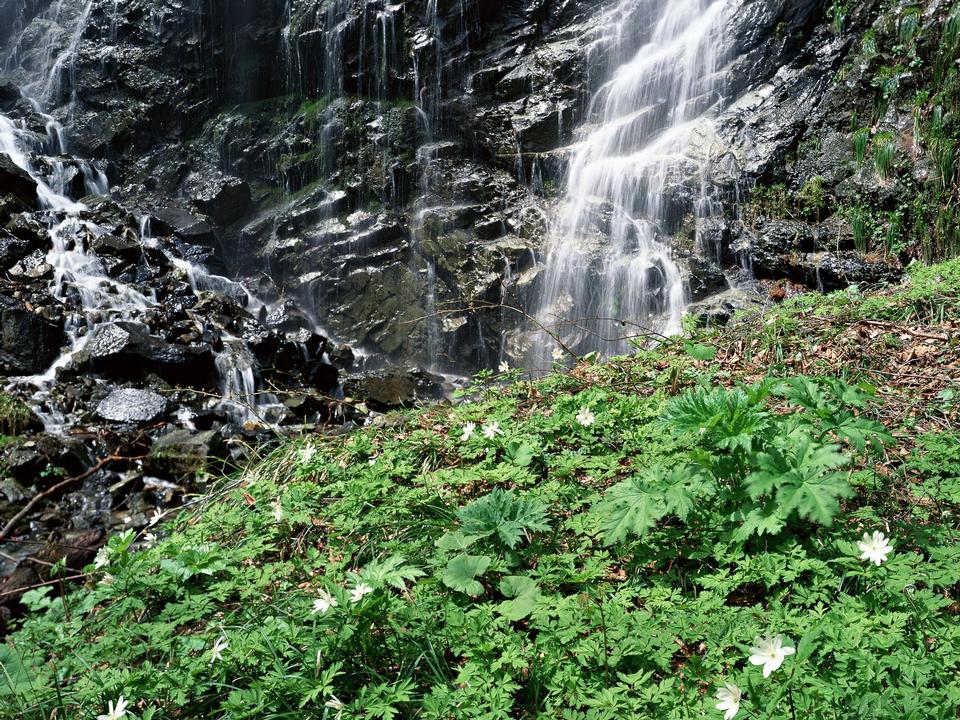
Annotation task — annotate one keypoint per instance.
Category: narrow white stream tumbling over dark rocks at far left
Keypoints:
(76, 268)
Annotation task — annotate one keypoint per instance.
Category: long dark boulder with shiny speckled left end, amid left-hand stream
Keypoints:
(126, 350)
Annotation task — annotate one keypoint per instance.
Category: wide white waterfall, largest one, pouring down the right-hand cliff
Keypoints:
(609, 273)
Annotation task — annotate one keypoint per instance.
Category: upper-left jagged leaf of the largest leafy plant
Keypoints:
(726, 419)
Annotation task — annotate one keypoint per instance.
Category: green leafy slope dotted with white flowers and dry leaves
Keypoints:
(757, 522)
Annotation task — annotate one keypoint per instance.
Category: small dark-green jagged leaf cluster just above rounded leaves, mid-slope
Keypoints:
(503, 516)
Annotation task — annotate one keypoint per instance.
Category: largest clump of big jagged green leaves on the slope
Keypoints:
(761, 471)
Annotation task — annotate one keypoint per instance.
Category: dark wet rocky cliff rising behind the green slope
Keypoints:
(257, 200)
